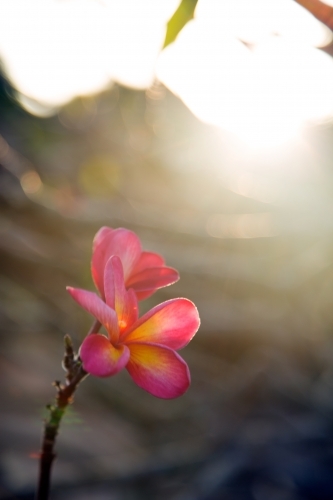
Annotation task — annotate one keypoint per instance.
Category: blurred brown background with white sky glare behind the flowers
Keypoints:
(218, 152)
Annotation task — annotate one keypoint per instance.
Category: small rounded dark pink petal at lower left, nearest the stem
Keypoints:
(101, 358)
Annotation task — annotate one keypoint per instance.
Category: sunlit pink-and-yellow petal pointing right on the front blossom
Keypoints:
(172, 323)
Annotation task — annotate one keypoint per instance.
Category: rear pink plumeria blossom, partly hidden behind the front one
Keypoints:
(145, 272)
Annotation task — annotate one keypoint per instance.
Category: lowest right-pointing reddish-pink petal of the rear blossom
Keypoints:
(150, 279)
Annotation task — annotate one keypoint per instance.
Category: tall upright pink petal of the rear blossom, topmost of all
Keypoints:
(108, 242)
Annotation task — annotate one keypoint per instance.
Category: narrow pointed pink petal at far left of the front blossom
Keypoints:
(95, 306)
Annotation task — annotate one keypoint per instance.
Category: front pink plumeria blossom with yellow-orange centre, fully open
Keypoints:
(146, 346)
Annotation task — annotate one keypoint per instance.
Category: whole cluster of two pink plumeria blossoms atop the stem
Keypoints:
(146, 346)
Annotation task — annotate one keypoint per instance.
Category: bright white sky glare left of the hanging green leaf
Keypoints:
(78, 47)
